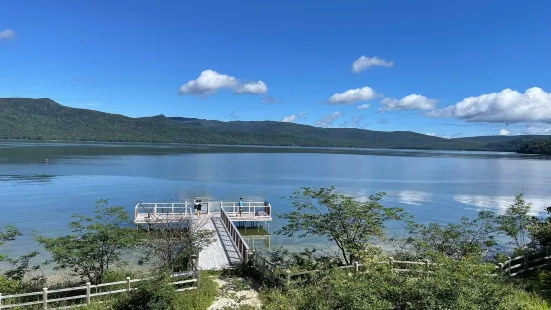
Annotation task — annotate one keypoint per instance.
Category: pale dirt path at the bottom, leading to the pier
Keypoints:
(236, 291)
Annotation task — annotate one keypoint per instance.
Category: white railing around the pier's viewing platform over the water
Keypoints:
(172, 210)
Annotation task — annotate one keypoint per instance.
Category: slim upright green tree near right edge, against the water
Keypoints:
(516, 222)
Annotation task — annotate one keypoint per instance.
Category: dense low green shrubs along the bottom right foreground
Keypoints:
(455, 285)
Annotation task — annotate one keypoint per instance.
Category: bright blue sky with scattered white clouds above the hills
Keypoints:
(292, 60)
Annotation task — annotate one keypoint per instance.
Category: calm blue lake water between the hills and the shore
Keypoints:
(435, 186)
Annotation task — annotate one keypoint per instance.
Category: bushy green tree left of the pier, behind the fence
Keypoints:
(96, 243)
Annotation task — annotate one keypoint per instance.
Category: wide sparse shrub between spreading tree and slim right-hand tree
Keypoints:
(469, 238)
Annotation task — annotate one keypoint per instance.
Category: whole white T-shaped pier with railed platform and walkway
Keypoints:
(230, 248)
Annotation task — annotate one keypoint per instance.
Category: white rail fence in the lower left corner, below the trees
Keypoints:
(86, 292)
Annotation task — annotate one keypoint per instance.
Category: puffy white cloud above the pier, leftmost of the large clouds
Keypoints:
(210, 81)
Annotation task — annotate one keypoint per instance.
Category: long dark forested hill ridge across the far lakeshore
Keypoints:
(44, 119)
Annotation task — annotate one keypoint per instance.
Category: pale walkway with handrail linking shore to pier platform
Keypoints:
(222, 253)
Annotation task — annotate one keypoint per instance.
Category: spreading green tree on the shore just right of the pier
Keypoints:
(353, 225)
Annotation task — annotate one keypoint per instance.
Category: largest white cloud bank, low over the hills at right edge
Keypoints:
(508, 106)
